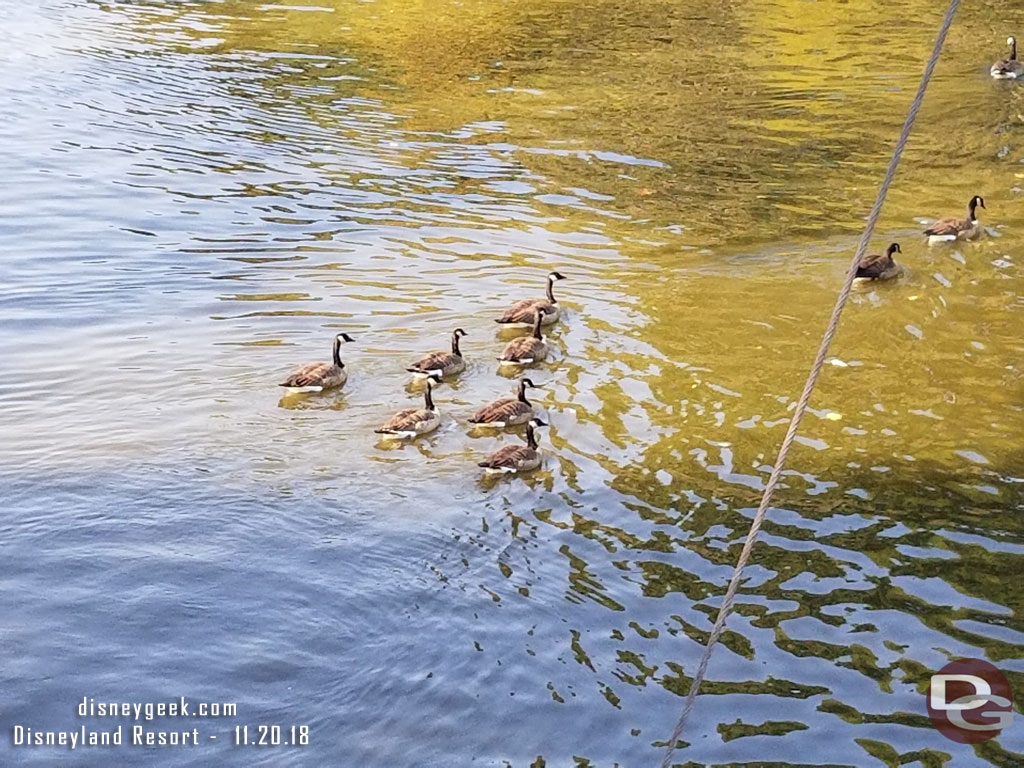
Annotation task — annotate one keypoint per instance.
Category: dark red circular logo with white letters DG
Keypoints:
(970, 701)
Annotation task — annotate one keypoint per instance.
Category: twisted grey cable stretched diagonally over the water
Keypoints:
(813, 379)
